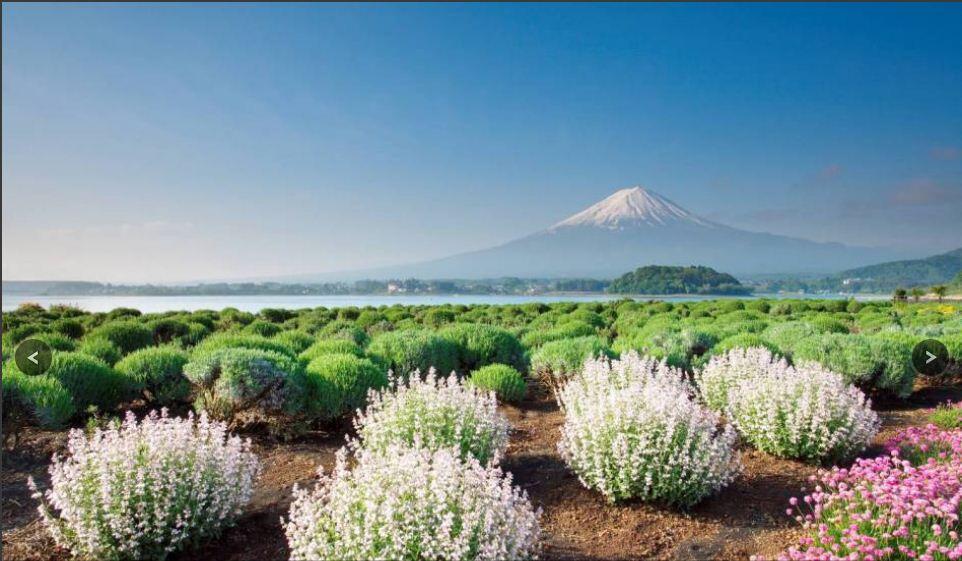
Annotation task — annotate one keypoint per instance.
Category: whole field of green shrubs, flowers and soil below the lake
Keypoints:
(720, 429)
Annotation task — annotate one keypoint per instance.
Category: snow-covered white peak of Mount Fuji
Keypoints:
(632, 207)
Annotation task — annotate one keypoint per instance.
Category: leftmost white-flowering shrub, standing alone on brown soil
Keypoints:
(142, 490)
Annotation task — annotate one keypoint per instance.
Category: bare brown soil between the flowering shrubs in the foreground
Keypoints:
(744, 519)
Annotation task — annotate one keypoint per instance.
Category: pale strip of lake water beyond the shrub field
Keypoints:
(150, 304)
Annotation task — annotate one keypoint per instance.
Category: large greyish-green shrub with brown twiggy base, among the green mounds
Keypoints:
(233, 380)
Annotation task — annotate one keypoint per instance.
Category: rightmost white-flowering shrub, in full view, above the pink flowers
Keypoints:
(807, 412)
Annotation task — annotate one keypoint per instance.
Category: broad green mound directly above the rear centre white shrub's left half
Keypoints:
(405, 352)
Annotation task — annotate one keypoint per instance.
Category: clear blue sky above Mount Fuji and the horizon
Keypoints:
(167, 143)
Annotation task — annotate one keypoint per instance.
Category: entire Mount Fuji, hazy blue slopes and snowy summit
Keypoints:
(635, 227)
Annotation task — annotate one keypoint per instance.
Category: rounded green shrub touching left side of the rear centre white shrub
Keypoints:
(347, 378)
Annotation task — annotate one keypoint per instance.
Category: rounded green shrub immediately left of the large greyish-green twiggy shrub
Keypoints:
(158, 371)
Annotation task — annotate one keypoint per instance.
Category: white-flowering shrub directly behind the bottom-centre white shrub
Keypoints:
(436, 413)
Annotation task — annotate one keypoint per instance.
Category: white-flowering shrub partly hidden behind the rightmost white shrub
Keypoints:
(725, 371)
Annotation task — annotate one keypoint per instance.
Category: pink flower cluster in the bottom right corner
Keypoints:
(887, 507)
